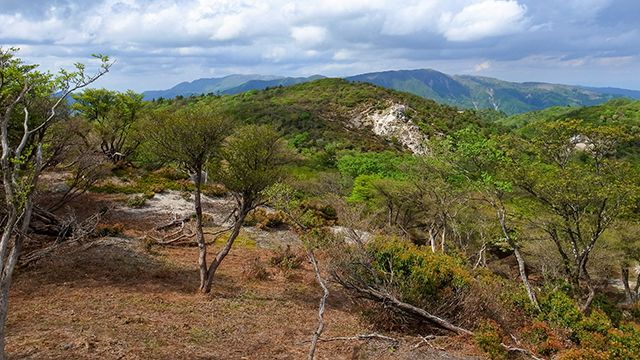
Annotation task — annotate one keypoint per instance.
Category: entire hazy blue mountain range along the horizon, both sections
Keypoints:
(464, 91)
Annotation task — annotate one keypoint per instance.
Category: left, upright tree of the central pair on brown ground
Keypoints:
(191, 137)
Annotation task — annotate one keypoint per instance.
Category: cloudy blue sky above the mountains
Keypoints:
(159, 43)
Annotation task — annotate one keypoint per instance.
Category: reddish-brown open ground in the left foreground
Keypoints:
(126, 302)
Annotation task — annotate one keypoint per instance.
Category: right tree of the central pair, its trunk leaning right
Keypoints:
(251, 160)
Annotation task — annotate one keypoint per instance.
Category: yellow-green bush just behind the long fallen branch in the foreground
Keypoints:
(413, 274)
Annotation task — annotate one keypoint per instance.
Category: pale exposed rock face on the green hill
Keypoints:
(393, 124)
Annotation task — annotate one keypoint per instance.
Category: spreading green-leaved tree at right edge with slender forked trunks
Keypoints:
(573, 172)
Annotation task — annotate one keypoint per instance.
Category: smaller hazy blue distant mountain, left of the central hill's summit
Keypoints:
(232, 84)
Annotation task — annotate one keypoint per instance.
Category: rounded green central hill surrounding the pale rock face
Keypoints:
(320, 112)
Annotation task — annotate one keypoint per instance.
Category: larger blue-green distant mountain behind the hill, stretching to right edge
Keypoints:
(482, 92)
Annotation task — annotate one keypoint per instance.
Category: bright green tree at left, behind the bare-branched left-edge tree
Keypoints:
(113, 115)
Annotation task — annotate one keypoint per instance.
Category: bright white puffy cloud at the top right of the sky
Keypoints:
(484, 19)
